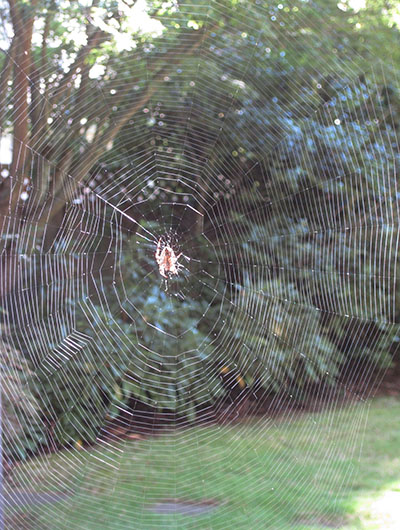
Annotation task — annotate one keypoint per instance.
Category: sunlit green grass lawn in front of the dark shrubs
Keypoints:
(333, 469)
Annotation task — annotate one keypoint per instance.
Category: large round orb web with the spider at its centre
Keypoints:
(269, 258)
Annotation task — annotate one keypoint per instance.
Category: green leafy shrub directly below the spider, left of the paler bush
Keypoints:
(144, 347)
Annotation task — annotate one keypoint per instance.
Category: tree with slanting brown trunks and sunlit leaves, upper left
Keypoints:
(55, 100)
